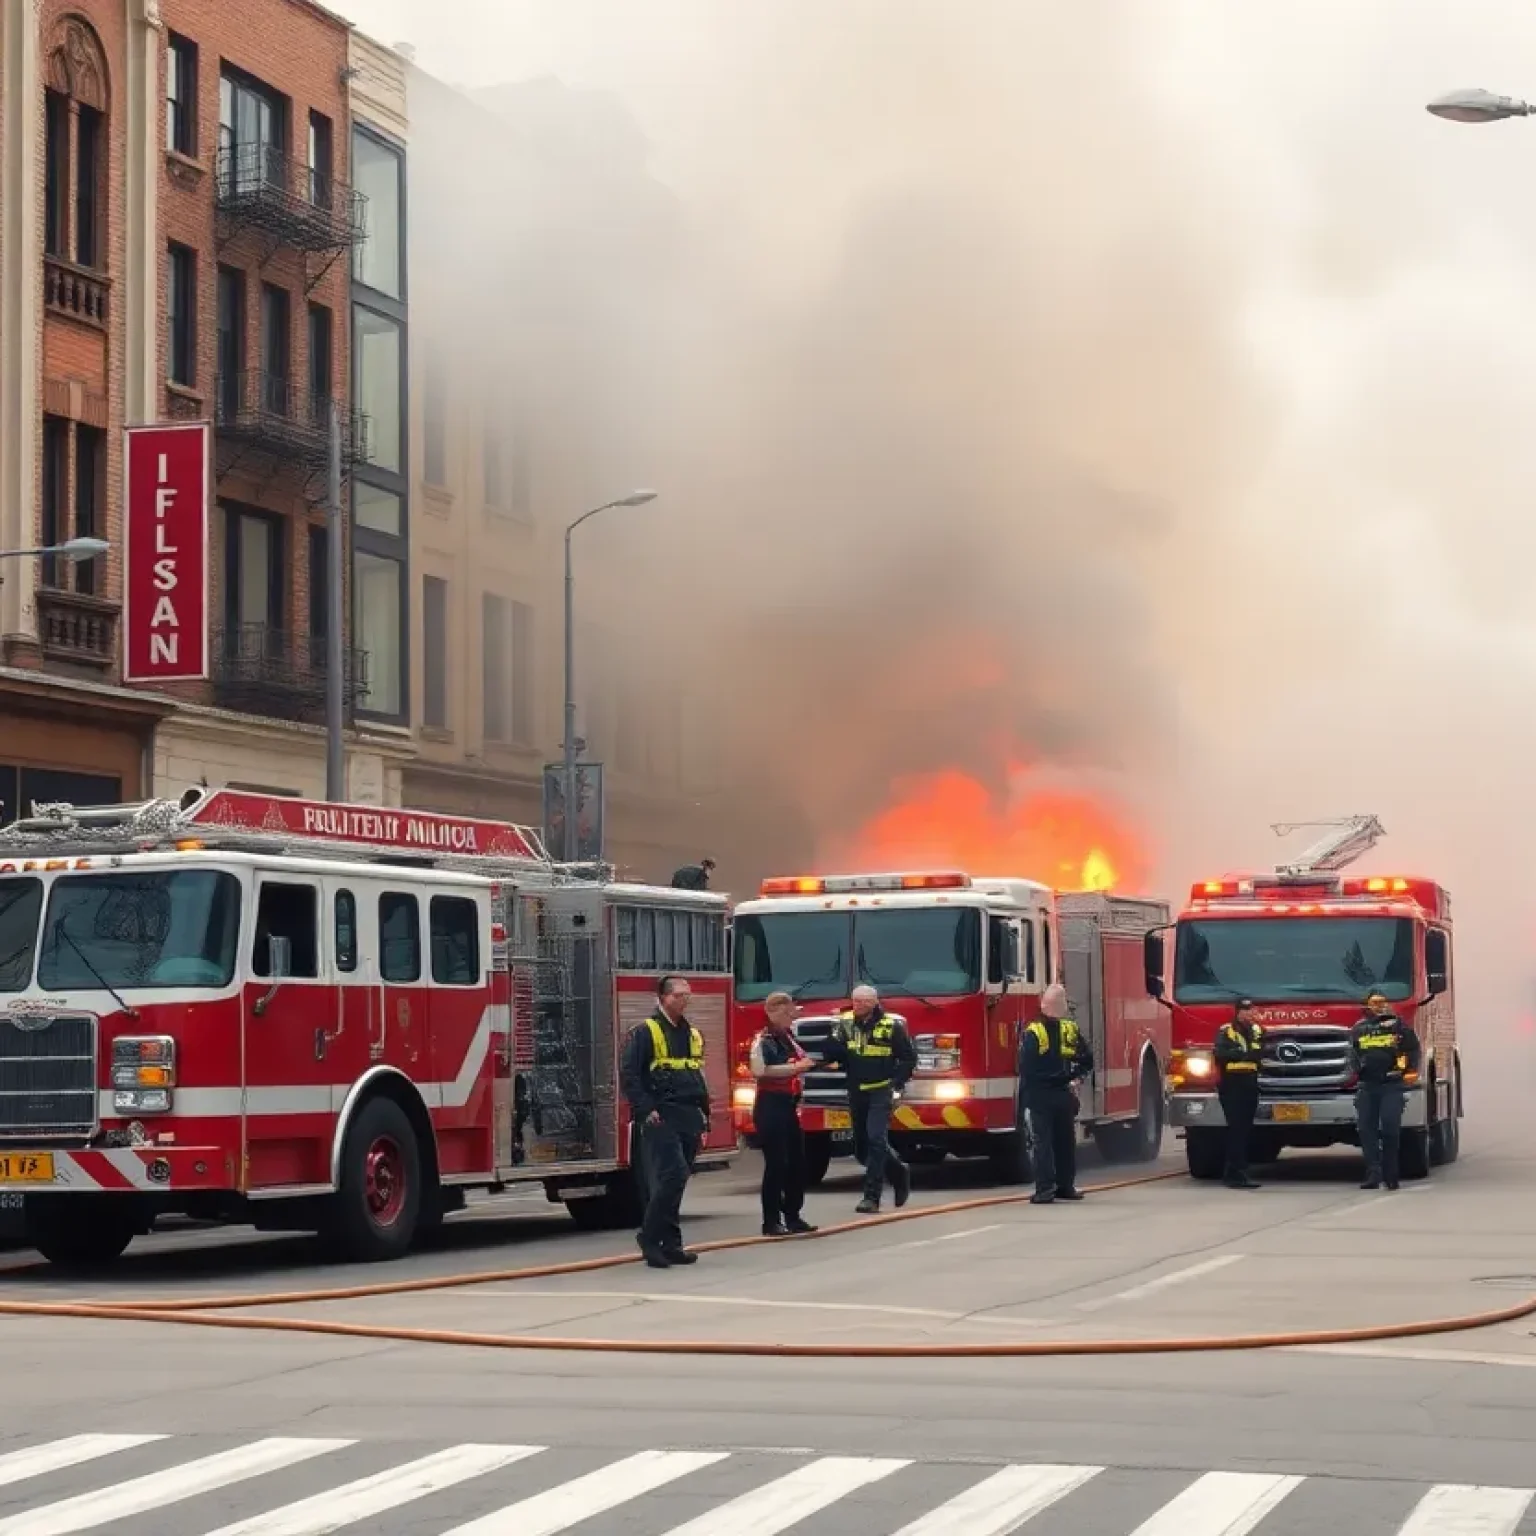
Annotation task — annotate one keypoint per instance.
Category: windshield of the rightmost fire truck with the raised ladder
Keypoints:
(1282, 958)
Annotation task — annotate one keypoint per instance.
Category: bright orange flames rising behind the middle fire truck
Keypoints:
(948, 821)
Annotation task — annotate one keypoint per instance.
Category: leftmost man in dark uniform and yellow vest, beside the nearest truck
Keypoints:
(664, 1082)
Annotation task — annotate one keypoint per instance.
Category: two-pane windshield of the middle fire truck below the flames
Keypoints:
(819, 956)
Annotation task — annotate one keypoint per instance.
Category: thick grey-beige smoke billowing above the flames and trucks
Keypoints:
(1119, 388)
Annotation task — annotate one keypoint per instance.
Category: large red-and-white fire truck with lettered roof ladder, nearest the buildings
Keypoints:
(323, 1018)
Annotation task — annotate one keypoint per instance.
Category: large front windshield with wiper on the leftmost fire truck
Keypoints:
(165, 930)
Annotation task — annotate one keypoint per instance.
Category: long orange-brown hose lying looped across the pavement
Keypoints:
(213, 1313)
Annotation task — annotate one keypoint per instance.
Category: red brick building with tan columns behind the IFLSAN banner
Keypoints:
(179, 236)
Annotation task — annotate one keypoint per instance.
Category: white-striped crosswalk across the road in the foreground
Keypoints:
(87, 1483)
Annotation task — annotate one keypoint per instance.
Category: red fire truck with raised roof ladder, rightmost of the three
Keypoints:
(1308, 945)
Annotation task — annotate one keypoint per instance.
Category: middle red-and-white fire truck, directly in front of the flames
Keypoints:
(962, 962)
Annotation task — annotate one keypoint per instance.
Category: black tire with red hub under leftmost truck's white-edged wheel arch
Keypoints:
(377, 1210)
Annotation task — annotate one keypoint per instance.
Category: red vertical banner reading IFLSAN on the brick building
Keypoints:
(167, 485)
